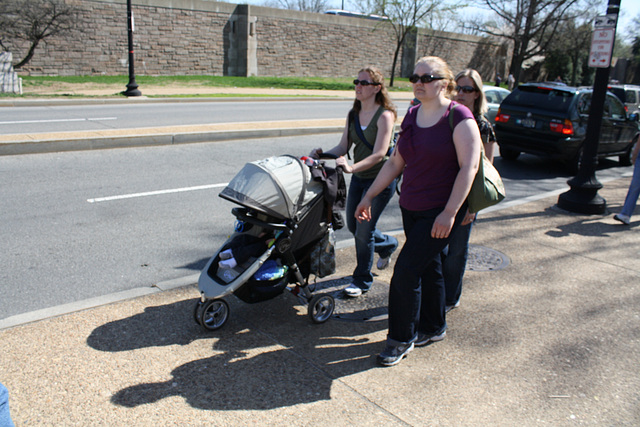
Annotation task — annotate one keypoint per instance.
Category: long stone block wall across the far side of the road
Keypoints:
(204, 37)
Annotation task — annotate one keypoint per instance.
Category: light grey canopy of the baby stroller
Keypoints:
(278, 186)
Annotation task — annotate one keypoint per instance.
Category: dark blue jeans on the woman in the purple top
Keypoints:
(417, 293)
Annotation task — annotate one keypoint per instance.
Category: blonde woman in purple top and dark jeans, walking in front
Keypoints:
(438, 167)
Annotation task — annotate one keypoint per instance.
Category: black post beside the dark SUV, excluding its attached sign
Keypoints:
(583, 196)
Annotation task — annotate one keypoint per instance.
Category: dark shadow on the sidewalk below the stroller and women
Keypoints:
(269, 355)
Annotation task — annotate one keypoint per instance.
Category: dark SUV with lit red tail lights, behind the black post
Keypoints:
(548, 119)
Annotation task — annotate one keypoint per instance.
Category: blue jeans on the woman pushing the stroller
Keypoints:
(368, 238)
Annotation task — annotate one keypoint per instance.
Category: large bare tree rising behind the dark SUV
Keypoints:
(530, 24)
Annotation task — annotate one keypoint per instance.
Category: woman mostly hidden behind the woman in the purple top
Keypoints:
(454, 257)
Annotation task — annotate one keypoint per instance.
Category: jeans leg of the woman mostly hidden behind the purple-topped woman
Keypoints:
(454, 262)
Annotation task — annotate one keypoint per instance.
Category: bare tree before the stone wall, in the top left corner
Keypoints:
(34, 21)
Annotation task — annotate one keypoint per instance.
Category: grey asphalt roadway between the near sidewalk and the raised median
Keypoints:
(77, 225)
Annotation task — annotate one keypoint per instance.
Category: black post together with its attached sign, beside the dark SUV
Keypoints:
(583, 195)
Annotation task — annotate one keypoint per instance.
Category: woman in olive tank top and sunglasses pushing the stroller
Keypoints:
(376, 115)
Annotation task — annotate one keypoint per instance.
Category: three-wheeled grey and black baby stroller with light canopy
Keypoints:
(285, 211)
